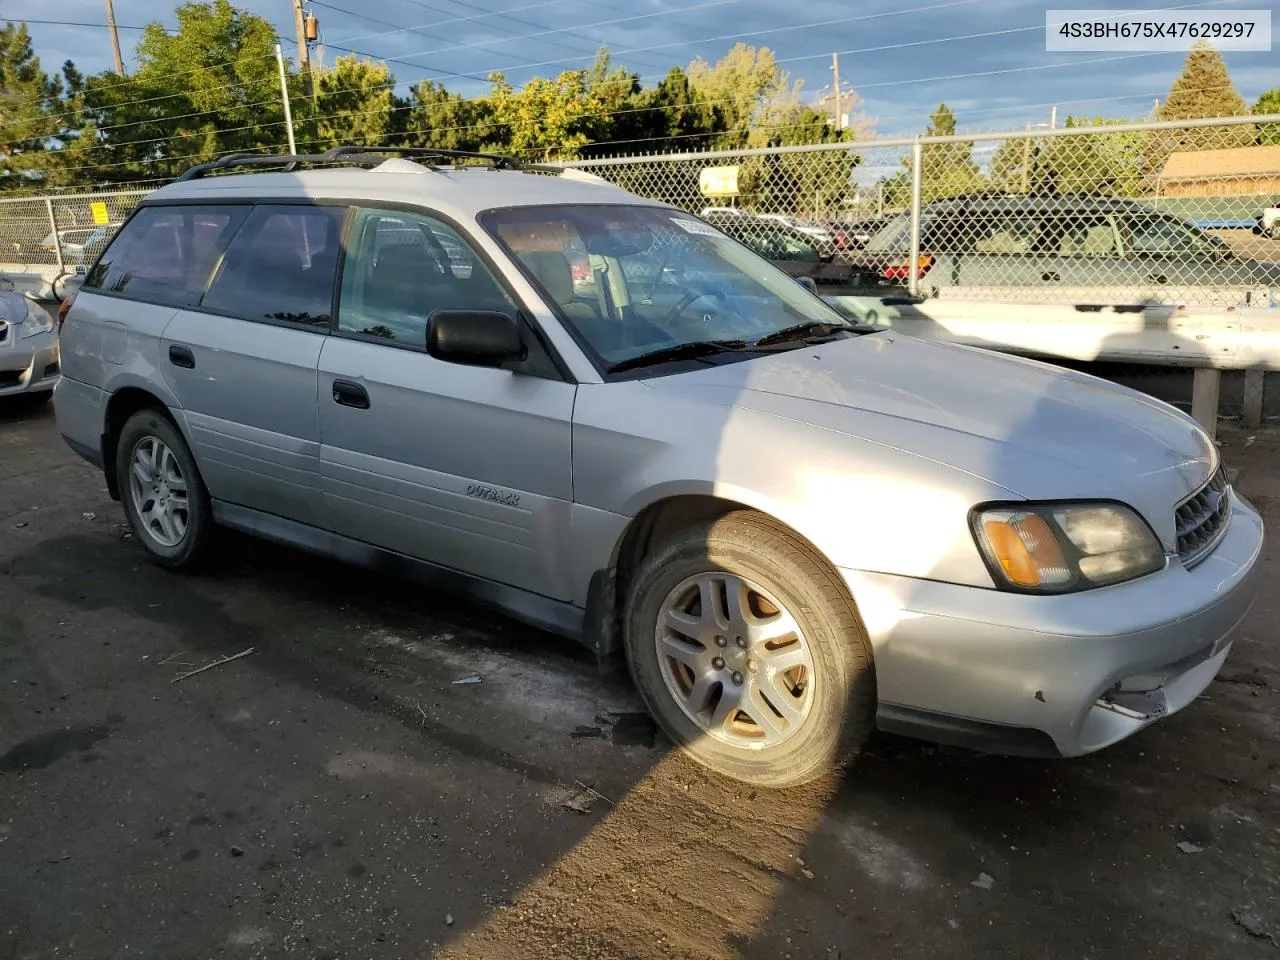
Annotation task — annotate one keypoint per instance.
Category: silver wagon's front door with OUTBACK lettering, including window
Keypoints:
(468, 468)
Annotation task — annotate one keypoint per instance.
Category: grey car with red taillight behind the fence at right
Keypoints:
(1119, 249)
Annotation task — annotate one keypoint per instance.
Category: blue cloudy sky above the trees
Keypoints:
(985, 58)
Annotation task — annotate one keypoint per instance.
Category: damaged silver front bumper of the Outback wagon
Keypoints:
(1057, 675)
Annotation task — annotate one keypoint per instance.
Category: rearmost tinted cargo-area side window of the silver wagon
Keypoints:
(166, 254)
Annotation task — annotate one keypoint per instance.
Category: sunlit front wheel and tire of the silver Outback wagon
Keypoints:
(749, 653)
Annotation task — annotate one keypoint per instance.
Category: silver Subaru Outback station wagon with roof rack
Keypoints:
(793, 531)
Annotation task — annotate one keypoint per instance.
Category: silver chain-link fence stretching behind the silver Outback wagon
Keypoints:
(1149, 214)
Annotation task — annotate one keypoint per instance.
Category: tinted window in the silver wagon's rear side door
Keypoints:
(281, 267)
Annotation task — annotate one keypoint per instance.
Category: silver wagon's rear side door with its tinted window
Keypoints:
(243, 363)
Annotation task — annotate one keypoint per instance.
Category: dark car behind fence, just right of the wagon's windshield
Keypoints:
(799, 255)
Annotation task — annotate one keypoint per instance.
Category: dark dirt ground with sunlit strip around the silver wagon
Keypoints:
(339, 794)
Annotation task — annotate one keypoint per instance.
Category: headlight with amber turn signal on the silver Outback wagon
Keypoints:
(1059, 548)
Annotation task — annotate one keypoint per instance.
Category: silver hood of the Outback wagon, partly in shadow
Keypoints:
(1034, 429)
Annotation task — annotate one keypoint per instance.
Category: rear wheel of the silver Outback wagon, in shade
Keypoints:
(164, 497)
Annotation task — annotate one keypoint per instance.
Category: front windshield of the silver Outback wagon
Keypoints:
(637, 280)
